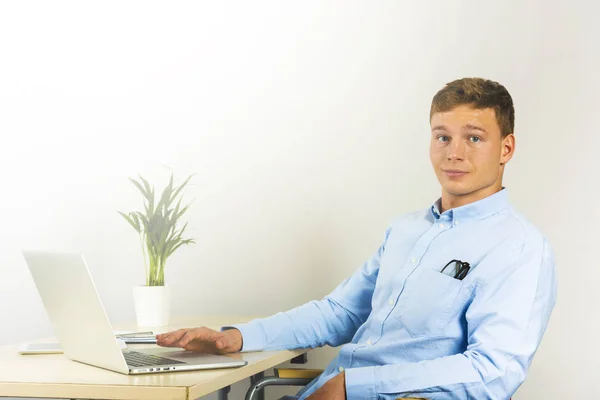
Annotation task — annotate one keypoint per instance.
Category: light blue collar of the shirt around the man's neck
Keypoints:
(473, 211)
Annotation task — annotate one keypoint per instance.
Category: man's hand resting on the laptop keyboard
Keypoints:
(202, 340)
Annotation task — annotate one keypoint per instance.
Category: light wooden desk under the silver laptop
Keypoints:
(55, 376)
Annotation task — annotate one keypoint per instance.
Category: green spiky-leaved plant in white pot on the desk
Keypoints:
(160, 236)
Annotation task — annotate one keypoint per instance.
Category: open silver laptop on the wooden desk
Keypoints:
(82, 327)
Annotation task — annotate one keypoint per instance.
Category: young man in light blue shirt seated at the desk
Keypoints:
(454, 303)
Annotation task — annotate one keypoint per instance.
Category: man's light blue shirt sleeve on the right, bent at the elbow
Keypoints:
(506, 321)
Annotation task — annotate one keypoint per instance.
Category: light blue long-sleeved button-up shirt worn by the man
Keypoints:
(409, 329)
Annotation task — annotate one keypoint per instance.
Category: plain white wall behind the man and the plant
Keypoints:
(307, 126)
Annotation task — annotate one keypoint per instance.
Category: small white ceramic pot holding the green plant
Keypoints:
(152, 305)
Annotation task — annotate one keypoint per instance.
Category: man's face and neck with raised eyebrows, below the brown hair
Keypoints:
(468, 153)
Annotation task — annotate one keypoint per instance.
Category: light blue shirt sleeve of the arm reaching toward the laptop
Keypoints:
(332, 320)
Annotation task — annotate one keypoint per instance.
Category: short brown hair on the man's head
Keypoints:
(479, 93)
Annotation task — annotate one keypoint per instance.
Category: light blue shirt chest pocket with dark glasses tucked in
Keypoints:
(428, 302)
